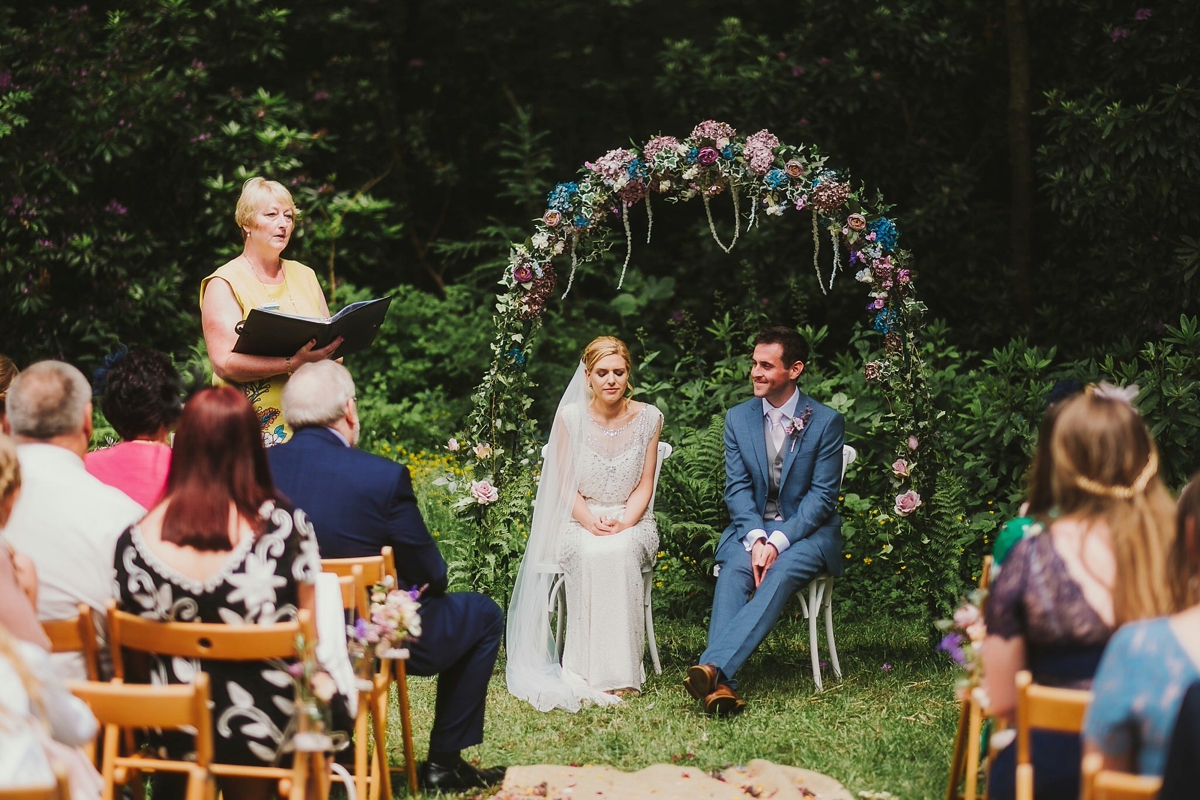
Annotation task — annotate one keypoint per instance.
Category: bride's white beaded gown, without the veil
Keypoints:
(605, 623)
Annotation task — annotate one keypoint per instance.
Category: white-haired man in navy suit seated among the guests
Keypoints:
(358, 504)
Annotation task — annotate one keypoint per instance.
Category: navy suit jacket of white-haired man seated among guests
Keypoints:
(358, 504)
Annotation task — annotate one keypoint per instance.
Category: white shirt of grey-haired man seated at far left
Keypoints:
(68, 524)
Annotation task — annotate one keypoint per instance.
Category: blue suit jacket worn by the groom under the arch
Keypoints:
(809, 485)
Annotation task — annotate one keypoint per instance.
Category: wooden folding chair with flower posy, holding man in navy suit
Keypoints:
(375, 569)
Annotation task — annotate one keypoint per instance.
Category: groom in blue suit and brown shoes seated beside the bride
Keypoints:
(783, 471)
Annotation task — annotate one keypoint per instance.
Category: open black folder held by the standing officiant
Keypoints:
(275, 334)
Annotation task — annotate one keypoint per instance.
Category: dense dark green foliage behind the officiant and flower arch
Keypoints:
(422, 139)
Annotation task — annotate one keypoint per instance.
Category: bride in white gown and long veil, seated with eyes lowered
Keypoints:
(591, 520)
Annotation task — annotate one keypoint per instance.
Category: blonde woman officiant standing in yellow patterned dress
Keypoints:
(261, 279)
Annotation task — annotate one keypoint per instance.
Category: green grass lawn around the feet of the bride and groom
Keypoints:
(889, 726)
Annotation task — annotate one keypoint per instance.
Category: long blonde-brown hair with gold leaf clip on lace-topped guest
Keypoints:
(1106, 468)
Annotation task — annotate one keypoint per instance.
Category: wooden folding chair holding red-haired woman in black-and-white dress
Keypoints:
(218, 642)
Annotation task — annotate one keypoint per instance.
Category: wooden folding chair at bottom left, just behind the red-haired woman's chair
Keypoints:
(119, 706)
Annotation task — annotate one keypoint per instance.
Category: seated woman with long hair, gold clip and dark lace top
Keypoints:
(1100, 564)
